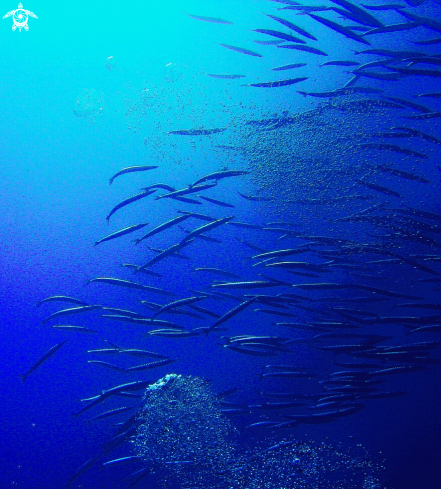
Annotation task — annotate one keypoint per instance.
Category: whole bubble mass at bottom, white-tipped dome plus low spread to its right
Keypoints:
(183, 436)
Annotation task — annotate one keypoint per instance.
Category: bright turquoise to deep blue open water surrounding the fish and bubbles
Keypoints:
(90, 89)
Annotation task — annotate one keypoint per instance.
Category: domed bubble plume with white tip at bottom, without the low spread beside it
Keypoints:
(183, 431)
